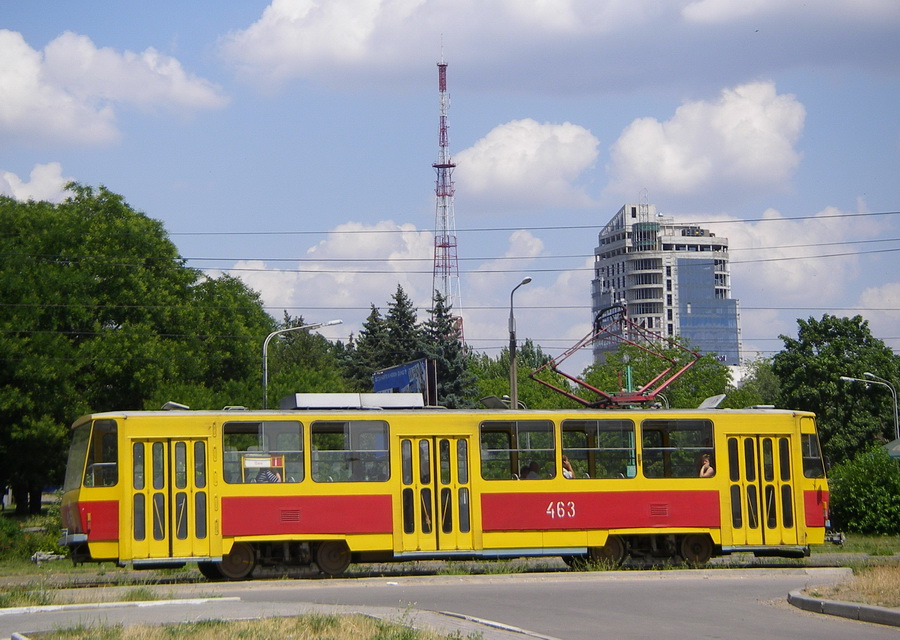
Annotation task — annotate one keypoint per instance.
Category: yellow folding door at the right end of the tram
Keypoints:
(762, 494)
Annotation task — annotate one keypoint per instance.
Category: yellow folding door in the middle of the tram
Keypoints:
(436, 495)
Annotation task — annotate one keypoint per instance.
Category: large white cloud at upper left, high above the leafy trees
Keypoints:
(69, 92)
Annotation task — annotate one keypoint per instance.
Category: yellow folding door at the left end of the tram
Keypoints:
(169, 499)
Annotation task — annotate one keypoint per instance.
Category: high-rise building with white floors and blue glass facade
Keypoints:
(673, 279)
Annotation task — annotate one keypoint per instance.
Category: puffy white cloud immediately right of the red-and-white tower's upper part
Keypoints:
(525, 164)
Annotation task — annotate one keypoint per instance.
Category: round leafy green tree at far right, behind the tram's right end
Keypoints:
(850, 416)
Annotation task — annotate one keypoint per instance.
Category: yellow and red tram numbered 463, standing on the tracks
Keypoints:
(334, 478)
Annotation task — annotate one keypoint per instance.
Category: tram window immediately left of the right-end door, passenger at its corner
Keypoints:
(674, 448)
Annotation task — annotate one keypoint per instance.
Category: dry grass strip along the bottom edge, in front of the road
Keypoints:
(306, 627)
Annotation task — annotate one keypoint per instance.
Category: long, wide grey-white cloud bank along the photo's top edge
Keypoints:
(571, 45)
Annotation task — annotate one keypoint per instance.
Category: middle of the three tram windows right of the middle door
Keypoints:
(600, 448)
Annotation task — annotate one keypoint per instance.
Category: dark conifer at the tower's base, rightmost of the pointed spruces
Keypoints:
(443, 345)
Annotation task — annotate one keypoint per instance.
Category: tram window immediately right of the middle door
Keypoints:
(508, 448)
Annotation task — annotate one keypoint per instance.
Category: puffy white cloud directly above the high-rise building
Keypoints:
(743, 140)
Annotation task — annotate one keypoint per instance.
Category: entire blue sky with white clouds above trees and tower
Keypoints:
(262, 133)
